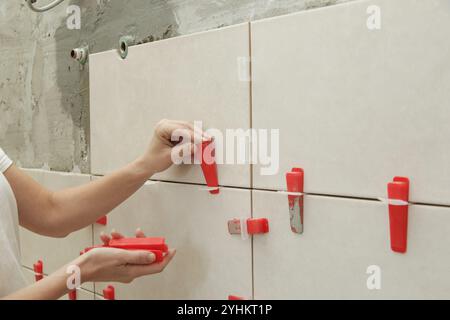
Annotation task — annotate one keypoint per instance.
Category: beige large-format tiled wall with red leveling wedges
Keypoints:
(354, 107)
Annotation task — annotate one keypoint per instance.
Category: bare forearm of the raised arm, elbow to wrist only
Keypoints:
(75, 208)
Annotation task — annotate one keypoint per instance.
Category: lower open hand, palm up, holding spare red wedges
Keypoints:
(116, 265)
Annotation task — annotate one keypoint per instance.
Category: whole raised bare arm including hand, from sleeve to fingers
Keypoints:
(56, 214)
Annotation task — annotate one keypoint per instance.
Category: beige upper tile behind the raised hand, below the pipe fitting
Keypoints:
(191, 78)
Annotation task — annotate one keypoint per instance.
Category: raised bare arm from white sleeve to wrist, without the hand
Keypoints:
(57, 214)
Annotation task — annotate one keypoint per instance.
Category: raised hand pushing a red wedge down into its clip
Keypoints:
(166, 140)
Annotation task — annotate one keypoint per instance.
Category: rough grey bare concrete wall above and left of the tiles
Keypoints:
(44, 95)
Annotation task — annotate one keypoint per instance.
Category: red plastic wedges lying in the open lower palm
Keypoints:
(157, 246)
